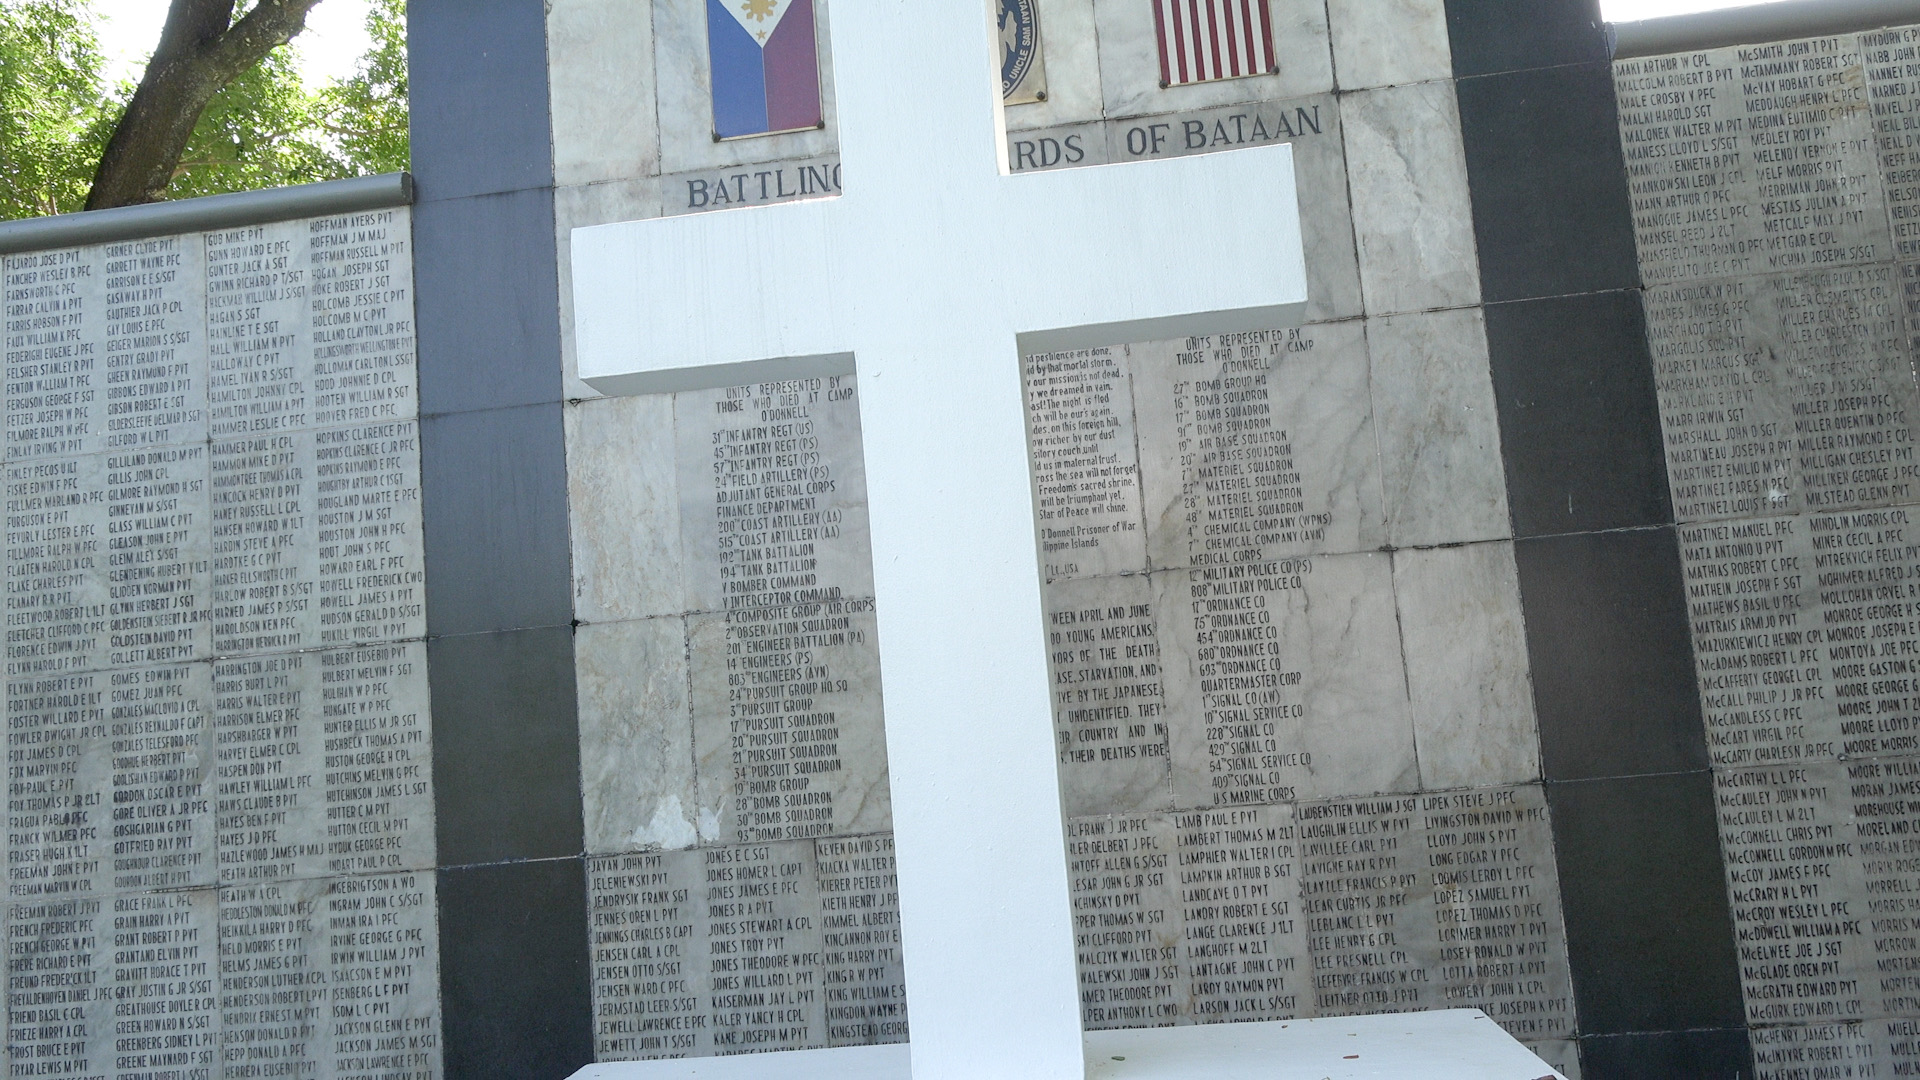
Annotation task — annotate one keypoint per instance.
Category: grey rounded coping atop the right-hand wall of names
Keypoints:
(1756, 24)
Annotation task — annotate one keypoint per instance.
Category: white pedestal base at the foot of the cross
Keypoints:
(1456, 1044)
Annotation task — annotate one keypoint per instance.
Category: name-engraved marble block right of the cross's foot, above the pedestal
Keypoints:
(1324, 910)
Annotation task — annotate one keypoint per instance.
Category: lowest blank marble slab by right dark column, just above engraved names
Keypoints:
(1468, 675)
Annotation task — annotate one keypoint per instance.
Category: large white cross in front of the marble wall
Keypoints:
(938, 270)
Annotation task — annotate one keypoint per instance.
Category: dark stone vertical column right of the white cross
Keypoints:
(1643, 883)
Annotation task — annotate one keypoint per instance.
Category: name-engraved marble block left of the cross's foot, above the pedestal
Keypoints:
(746, 948)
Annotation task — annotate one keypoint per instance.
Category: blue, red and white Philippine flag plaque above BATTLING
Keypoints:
(765, 66)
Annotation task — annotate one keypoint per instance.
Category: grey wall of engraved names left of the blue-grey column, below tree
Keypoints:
(220, 854)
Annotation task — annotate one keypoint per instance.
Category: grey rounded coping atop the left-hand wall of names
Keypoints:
(208, 212)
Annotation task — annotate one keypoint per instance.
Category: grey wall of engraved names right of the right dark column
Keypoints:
(1777, 207)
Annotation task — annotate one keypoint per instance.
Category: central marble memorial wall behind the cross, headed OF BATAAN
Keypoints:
(1293, 702)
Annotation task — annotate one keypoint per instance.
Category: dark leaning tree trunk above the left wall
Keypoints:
(201, 51)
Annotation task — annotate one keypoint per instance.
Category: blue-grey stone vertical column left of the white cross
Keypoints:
(514, 935)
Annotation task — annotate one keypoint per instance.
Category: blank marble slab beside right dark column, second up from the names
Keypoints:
(1433, 410)
